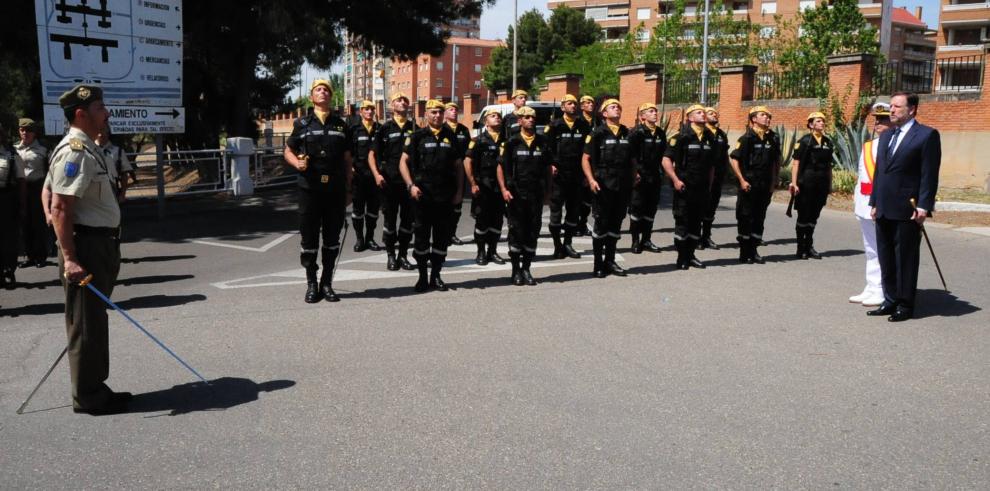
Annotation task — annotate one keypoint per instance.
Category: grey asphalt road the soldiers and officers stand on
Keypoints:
(737, 376)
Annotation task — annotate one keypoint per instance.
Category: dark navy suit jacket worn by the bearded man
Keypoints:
(912, 172)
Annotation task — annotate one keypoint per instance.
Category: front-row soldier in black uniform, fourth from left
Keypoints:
(610, 168)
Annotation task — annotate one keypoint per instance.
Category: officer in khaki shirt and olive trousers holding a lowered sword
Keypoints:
(87, 223)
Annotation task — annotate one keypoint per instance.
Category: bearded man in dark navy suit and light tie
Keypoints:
(908, 159)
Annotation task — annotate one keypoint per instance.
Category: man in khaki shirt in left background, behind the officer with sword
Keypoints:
(34, 229)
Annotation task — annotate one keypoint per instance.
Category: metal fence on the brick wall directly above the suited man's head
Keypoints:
(957, 74)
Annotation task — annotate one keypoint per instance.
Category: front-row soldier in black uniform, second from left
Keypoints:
(433, 171)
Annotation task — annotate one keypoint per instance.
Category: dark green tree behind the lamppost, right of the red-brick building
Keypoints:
(541, 43)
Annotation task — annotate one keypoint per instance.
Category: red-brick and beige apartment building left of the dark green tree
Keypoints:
(448, 76)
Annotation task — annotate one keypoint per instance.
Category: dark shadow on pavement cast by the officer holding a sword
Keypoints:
(222, 393)
